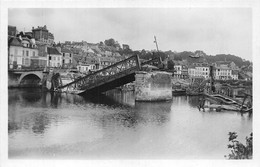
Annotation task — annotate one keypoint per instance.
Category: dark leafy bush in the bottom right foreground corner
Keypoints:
(239, 150)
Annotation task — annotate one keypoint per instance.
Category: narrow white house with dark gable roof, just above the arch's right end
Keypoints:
(54, 57)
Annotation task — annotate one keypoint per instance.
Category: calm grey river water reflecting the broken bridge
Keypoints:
(43, 125)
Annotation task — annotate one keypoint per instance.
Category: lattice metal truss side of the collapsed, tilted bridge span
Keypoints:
(96, 78)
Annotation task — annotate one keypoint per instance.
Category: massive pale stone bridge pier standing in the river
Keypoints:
(153, 86)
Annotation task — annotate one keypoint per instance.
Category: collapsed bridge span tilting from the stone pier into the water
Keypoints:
(105, 79)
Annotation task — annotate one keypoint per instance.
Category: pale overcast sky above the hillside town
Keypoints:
(213, 30)
